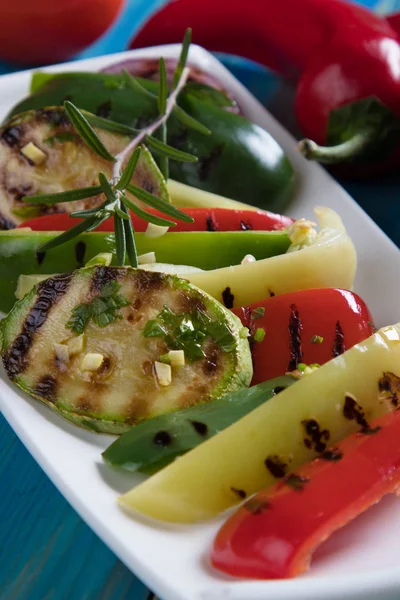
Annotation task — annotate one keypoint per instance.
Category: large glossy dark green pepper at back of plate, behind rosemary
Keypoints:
(238, 160)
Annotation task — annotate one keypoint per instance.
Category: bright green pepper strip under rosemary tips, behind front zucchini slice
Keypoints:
(206, 250)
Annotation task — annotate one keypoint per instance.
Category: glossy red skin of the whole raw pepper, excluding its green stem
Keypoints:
(342, 52)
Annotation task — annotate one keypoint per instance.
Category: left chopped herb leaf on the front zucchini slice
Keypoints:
(102, 309)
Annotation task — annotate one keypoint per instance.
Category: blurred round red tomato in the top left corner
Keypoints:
(47, 31)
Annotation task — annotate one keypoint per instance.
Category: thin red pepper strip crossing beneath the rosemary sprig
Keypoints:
(205, 219)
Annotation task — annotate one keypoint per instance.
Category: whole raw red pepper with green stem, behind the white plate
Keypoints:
(346, 60)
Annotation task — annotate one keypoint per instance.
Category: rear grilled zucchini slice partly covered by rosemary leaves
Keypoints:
(40, 152)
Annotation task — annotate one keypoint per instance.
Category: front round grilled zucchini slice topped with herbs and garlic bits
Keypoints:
(94, 346)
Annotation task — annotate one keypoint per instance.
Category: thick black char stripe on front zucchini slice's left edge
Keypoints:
(50, 292)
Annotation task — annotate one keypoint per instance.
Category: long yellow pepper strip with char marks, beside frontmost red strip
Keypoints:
(293, 427)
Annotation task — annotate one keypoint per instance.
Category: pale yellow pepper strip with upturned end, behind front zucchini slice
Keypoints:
(328, 261)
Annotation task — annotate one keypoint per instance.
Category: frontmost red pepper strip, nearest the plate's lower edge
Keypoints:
(279, 540)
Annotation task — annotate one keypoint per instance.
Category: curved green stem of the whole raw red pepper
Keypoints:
(352, 148)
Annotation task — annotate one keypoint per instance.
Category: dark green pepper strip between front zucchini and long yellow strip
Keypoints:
(153, 444)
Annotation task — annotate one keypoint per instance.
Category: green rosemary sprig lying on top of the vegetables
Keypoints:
(116, 203)
